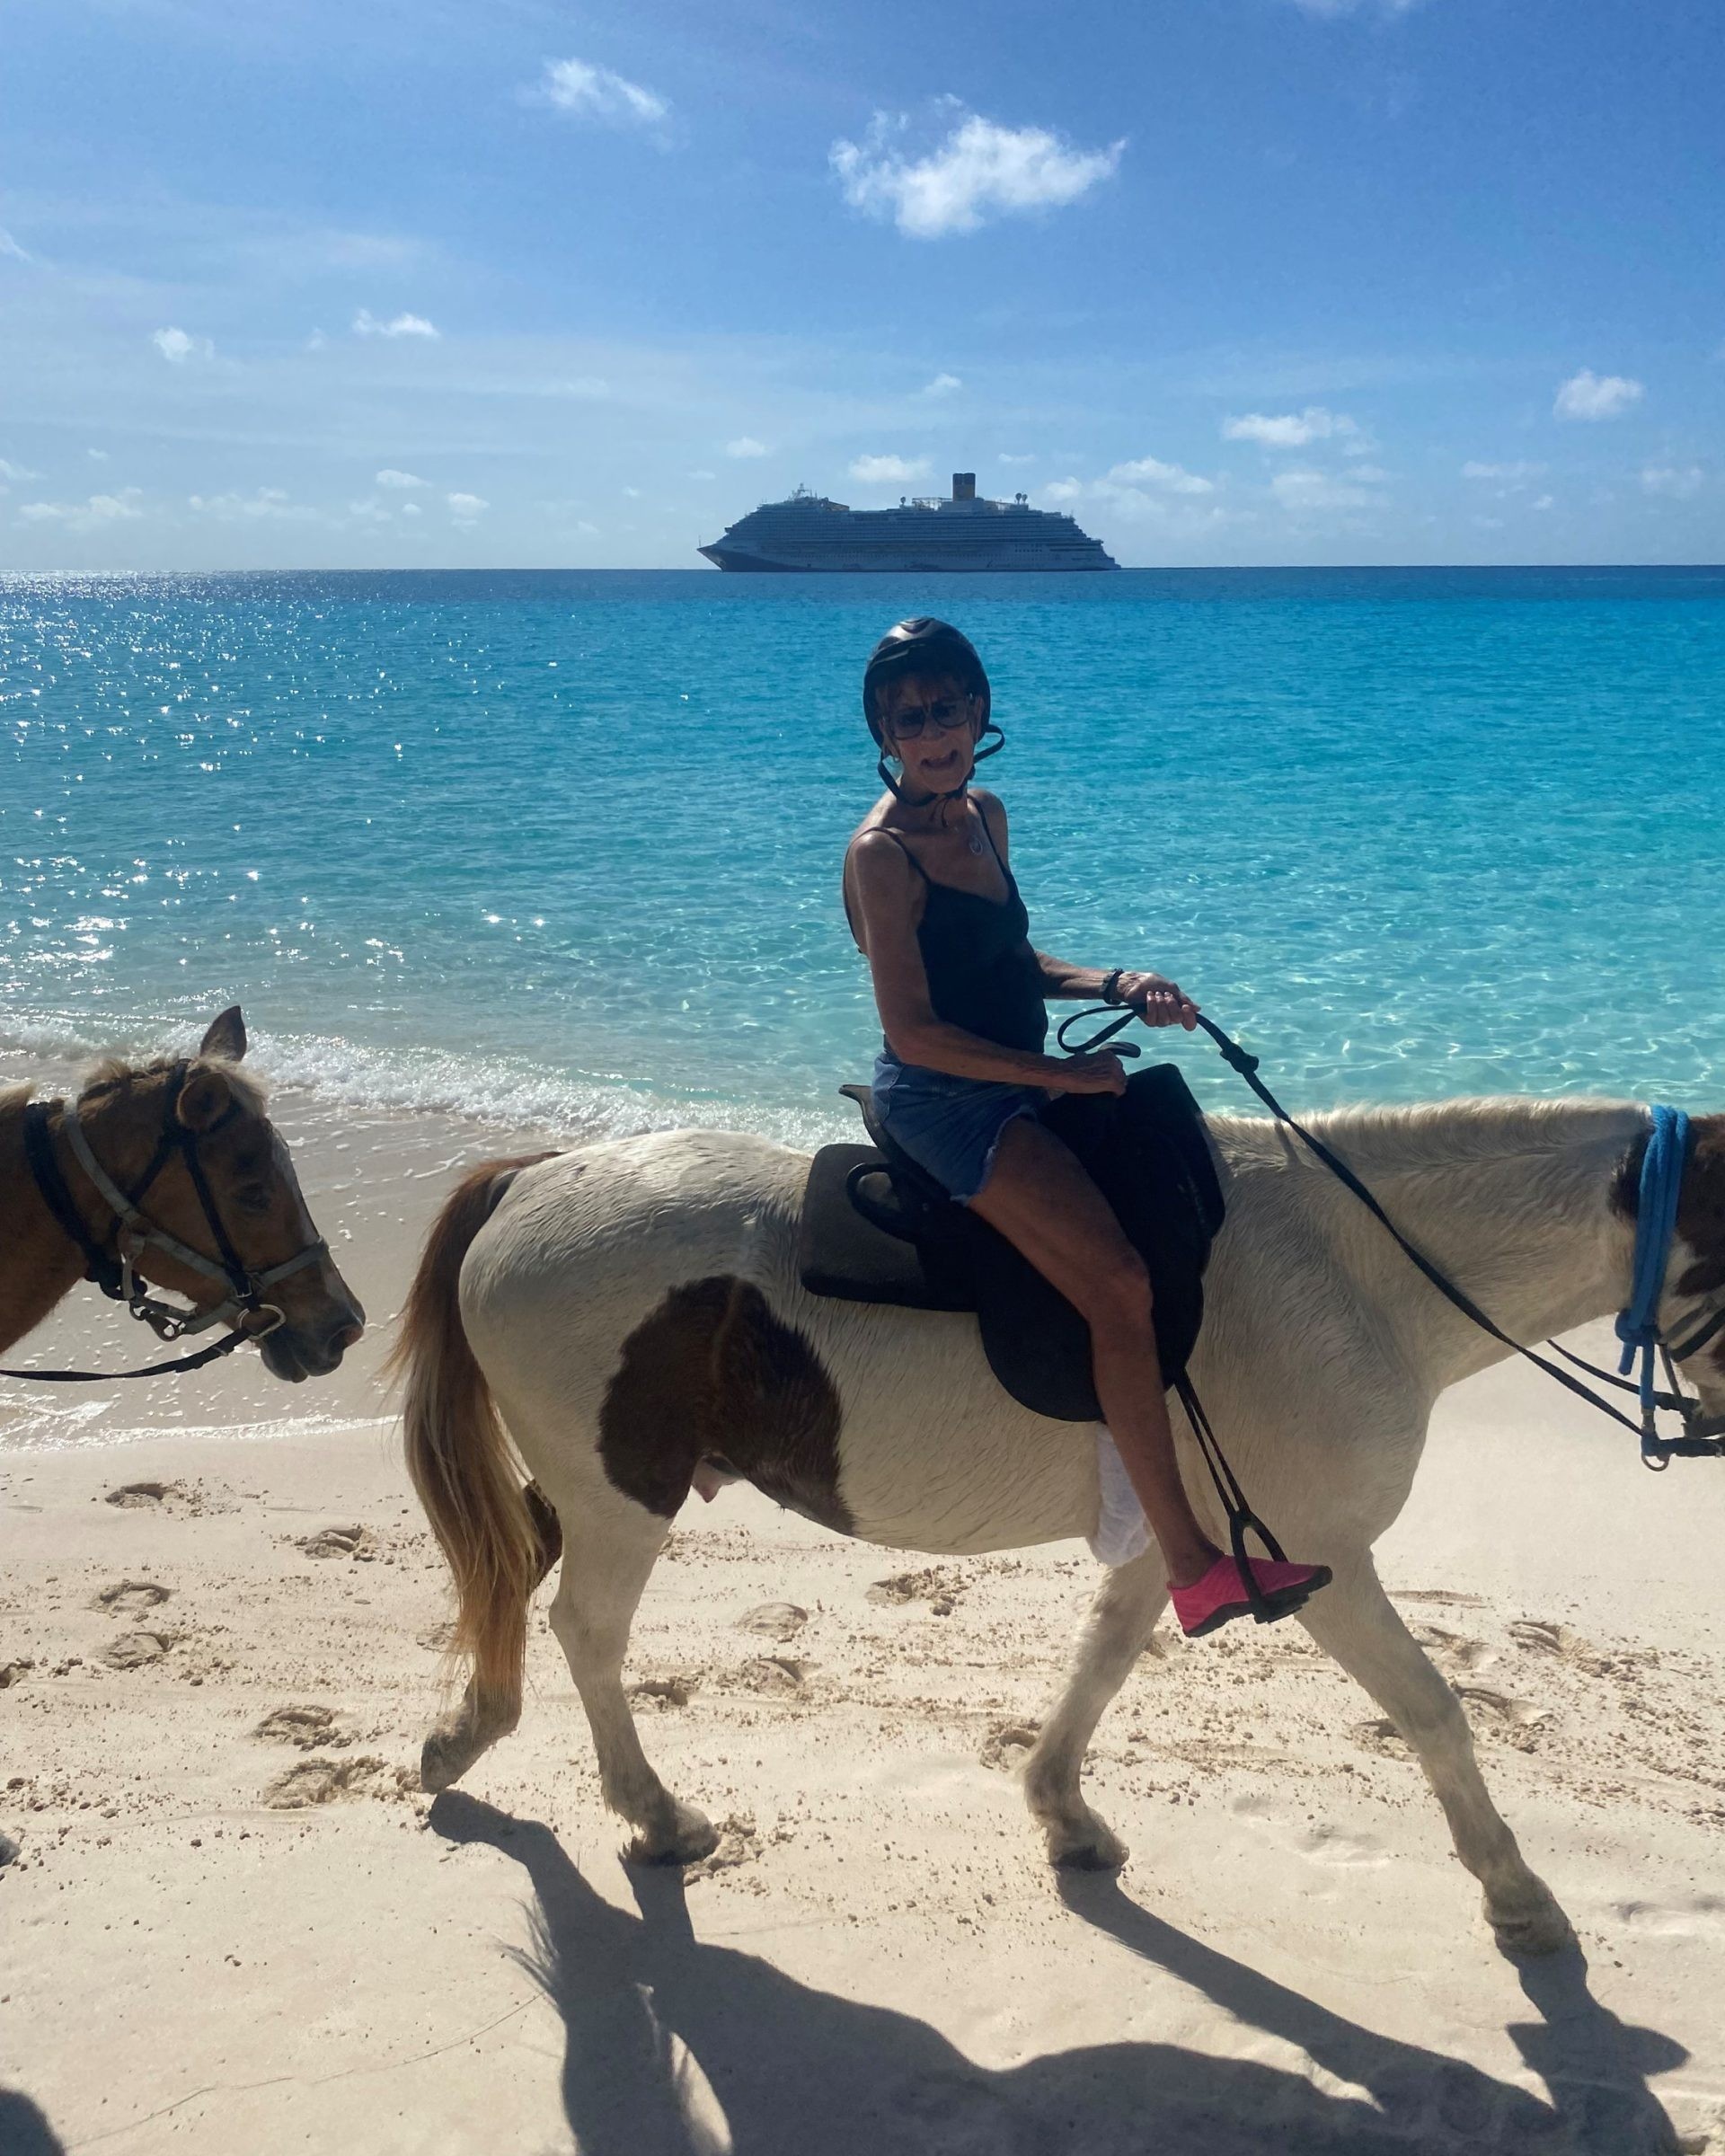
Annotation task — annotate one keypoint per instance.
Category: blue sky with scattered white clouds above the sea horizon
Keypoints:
(411, 284)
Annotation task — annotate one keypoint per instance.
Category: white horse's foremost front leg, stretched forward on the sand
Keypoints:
(1355, 1620)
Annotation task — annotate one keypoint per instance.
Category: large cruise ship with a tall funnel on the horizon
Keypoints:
(965, 534)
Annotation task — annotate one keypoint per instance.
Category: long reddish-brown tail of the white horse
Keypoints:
(493, 1532)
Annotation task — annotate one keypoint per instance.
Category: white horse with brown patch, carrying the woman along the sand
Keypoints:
(624, 1312)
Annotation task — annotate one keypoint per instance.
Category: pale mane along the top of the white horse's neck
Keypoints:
(1444, 1135)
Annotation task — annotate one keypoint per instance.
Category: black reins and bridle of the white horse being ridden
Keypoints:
(1705, 1437)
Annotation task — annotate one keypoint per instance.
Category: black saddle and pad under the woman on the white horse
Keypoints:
(881, 1230)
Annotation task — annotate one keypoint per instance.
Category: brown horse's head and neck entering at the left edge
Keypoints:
(221, 1219)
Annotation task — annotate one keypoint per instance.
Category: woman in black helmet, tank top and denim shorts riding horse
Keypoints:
(963, 1077)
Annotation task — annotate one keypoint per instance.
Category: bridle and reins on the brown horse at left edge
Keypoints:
(133, 1232)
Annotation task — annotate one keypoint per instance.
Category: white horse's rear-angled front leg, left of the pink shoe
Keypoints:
(1116, 1635)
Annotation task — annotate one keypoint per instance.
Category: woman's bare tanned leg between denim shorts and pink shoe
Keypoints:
(1047, 1206)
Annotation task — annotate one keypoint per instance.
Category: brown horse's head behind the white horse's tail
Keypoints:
(225, 1189)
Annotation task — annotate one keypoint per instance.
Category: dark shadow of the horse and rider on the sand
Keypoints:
(687, 2049)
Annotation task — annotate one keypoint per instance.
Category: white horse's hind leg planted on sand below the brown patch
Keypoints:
(609, 1551)
